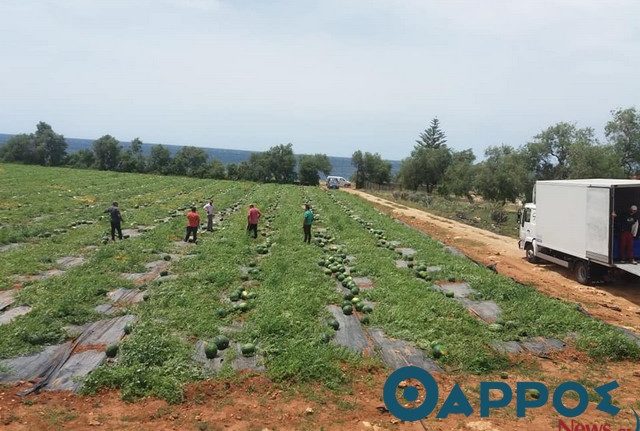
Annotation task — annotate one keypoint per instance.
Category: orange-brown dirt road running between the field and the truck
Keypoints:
(618, 304)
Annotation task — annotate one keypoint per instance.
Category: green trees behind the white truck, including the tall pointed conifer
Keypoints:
(561, 151)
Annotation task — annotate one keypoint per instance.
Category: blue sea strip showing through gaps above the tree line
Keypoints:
(341, 165)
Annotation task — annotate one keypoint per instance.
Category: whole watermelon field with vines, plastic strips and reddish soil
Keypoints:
(275, 299)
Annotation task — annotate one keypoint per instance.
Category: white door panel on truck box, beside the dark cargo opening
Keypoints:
(598, 215)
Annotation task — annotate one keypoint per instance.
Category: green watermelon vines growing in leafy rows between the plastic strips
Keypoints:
(287, 318)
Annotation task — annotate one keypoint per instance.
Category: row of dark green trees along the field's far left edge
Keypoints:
(278, 164)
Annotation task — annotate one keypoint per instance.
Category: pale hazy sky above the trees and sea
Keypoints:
(329, 76)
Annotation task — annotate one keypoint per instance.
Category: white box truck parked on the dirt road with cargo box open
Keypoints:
(571, 223)
